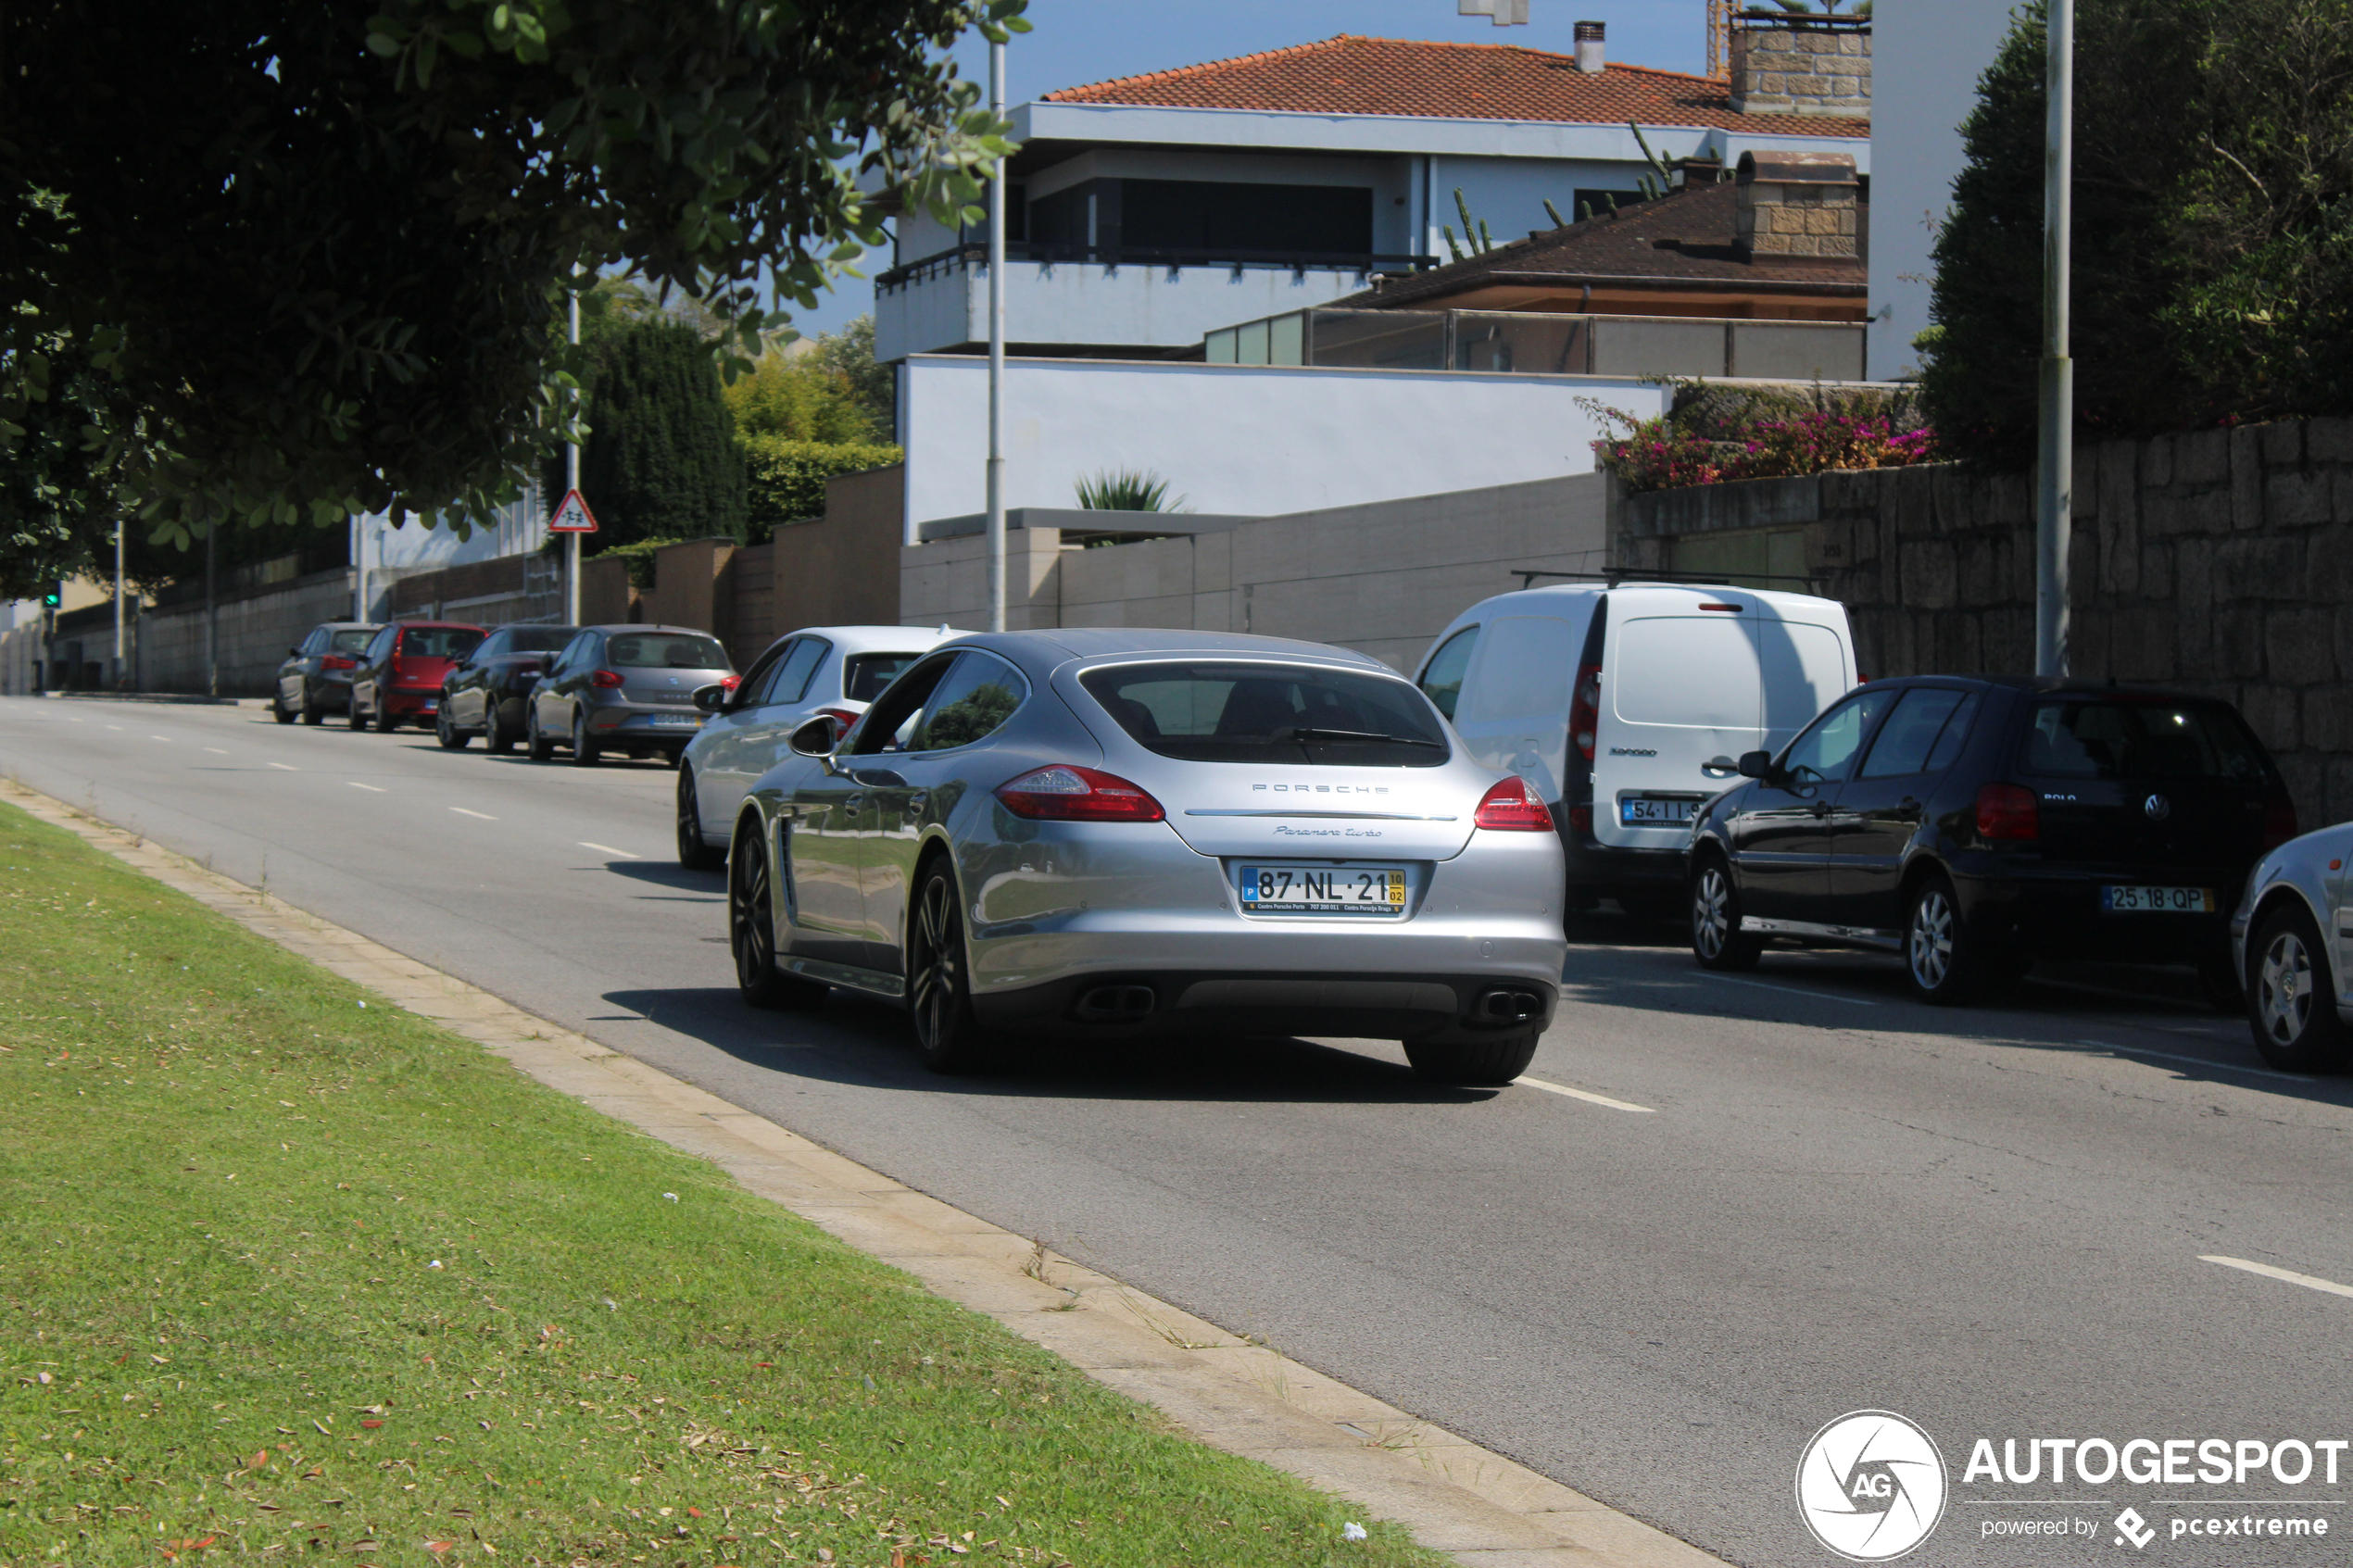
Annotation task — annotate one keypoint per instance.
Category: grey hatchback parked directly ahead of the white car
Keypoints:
(625, 690)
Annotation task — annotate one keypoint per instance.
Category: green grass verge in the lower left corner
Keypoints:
(307, 1280)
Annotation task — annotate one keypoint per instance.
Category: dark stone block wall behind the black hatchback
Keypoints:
(2218, 563)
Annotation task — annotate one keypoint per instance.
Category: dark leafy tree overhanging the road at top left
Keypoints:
(279, 262)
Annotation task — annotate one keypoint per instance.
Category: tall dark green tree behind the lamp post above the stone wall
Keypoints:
(2213, 274)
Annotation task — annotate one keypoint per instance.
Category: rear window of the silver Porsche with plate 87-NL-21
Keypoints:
(1272, 713)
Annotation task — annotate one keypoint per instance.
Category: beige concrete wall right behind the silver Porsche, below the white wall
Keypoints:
(1382, 577)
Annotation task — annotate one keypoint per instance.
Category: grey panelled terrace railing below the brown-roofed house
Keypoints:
(1547, 344)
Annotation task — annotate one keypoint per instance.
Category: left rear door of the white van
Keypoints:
(1684, 697)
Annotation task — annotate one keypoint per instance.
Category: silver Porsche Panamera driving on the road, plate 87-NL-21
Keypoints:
(1116, 833)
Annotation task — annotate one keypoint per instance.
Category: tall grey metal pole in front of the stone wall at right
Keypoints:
(2058, 450)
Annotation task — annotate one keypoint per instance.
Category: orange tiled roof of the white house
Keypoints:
(1444, 81)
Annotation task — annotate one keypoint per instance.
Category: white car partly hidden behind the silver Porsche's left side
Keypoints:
(820, 669)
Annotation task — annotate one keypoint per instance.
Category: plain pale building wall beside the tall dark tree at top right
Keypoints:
(1926, 60)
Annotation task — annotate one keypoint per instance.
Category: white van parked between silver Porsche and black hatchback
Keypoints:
(1629, 704)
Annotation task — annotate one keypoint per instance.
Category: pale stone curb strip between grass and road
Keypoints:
(1229, 1393)
